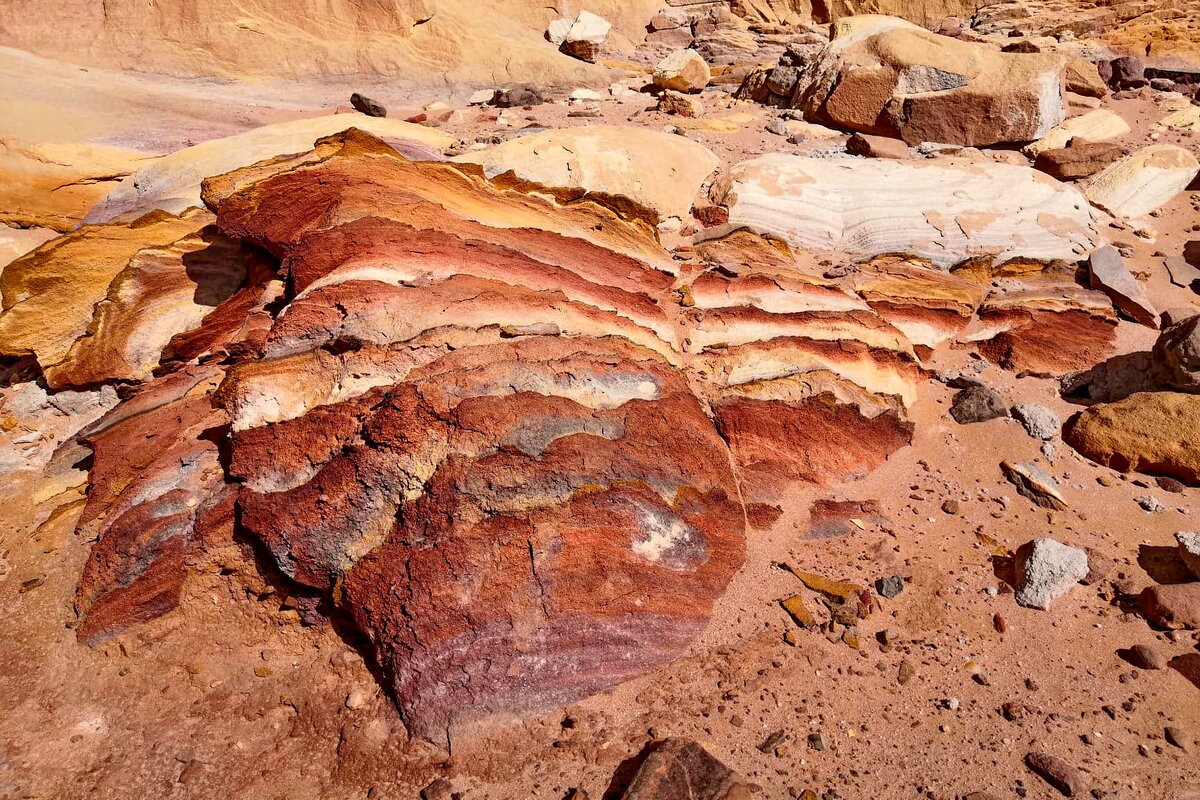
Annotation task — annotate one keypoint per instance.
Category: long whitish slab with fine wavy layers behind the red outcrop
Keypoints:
(946, 212)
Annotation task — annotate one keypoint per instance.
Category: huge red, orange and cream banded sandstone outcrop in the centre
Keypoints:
(495, 423)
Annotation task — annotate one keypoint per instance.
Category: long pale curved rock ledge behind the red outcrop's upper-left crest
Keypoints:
(172, 183)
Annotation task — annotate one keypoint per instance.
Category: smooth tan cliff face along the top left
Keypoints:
(435, 41)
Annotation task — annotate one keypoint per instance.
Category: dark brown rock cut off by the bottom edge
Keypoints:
(680, 769)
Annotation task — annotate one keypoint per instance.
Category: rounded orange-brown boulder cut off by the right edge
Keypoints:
(1147, 432)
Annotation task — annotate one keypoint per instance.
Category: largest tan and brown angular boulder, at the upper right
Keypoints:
(885, 76)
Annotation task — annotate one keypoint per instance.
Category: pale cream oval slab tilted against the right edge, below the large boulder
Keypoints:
(1144, 181)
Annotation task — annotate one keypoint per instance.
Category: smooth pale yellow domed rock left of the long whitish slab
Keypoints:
(659, 171)
